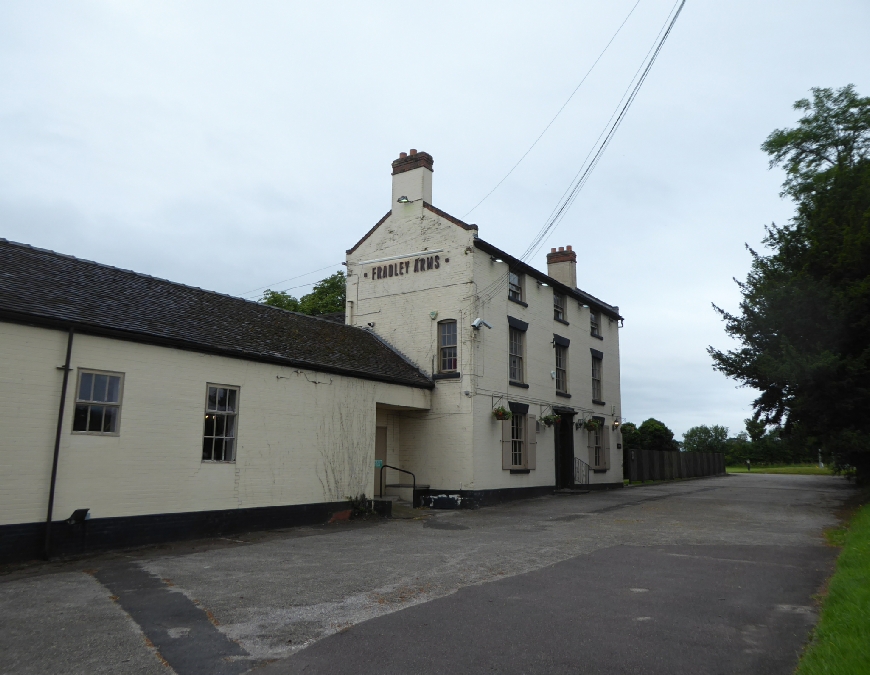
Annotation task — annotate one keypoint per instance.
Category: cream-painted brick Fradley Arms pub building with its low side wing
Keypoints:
(138, 410)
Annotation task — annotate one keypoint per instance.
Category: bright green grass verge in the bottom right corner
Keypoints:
(841, 640)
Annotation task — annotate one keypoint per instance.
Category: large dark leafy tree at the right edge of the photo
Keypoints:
(804, 320)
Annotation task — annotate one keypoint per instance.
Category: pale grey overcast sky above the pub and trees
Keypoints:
(234, 145)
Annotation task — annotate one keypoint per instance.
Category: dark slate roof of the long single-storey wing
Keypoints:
(48, 288)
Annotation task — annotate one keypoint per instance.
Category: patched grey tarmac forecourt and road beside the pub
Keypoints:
(705, 576)
